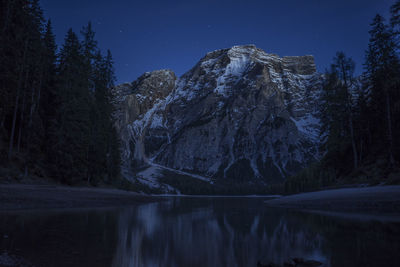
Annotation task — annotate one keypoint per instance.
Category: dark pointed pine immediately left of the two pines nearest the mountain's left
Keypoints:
(71, 129)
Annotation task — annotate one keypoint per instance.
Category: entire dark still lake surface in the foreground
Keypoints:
(194, 232)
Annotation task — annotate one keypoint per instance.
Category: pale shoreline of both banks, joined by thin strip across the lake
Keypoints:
(14, 197)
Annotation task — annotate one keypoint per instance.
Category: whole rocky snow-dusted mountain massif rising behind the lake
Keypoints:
(239, 114)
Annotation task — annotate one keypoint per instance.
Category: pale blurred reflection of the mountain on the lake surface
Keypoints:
(221, 233)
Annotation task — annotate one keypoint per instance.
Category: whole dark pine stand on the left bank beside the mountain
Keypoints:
(55, 104)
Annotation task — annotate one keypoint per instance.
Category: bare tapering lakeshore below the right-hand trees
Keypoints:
(379, 199)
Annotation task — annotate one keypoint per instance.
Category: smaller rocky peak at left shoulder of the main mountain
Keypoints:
(135, 109)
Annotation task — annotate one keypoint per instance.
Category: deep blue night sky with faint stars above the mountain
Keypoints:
(158, 34)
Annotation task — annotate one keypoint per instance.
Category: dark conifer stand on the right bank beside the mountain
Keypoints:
(360, 116)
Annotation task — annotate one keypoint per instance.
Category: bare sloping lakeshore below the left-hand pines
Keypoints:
(21, 197)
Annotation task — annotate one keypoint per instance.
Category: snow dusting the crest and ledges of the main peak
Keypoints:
(221, 74)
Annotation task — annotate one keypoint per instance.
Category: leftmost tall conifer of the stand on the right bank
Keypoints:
(338, 112)
